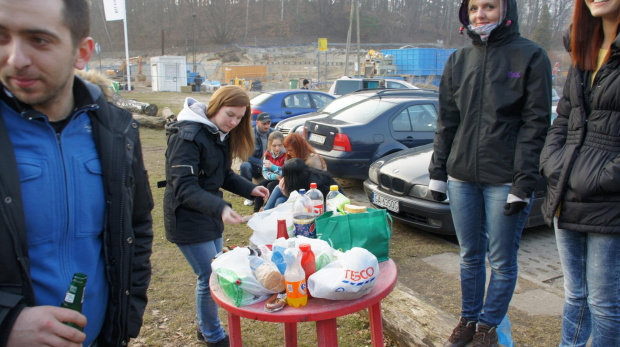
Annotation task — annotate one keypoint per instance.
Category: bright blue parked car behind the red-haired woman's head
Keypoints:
(282, 104)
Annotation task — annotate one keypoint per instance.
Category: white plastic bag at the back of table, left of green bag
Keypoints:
(265, 223)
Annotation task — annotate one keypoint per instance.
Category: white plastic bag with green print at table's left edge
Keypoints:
(237, 279)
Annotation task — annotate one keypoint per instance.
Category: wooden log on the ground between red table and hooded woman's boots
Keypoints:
(413, 321)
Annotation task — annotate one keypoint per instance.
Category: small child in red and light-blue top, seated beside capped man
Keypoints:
(272, 165)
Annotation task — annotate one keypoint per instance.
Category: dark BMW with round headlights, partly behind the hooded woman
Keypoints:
(399, 183)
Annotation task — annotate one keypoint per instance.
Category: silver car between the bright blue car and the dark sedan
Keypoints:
(296, 123)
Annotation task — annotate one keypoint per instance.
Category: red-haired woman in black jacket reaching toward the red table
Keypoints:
(201, 145)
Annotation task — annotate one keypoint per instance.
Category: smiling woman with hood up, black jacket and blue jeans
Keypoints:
(494, 112)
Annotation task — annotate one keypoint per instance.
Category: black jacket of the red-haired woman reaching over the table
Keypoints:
(198, 164)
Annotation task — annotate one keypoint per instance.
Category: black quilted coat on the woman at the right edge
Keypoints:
(581, 157)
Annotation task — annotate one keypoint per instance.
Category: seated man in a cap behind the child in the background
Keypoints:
(253, 168)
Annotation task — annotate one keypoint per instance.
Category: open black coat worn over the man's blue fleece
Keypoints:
(128, 234)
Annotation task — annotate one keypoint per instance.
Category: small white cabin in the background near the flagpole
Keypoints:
(168, 73)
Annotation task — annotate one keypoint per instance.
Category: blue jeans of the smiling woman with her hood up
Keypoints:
(478, 215)
